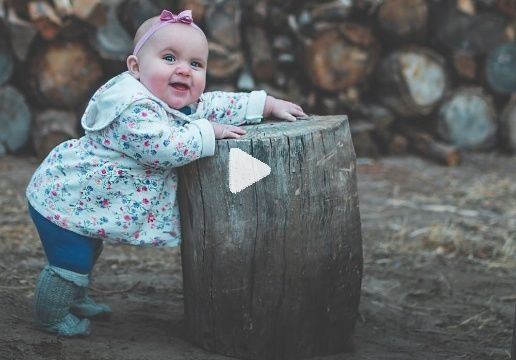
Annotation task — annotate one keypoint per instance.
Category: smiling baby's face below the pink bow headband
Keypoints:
(172, 64)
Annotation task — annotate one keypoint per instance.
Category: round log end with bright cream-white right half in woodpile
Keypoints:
(412, 80)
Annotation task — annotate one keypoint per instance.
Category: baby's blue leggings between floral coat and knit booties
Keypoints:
(64, 248)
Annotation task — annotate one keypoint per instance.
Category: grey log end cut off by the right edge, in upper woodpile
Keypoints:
(500, 68)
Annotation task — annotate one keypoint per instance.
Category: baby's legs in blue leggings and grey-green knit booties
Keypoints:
(62, 285)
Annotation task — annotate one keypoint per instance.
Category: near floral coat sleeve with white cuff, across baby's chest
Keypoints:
(144, 131)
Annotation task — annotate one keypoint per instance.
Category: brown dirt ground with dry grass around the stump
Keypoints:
(439, 271)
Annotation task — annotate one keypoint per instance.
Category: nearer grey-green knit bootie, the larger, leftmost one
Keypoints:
(56, 290)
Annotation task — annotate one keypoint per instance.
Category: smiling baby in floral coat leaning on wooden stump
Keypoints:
(118, 182)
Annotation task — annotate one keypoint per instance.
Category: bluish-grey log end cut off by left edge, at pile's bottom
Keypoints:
(15, 120)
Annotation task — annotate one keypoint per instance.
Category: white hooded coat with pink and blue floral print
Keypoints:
(118, 182)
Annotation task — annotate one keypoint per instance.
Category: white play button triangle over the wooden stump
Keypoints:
(244, 170)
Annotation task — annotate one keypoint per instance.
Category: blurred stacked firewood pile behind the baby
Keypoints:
(436, 77)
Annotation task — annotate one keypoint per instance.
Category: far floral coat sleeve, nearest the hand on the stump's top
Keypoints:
(234, 108)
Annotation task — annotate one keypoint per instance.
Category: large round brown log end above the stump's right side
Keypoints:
(341, 56)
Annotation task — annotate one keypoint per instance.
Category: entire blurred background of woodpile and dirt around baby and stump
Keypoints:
(431, 78)
